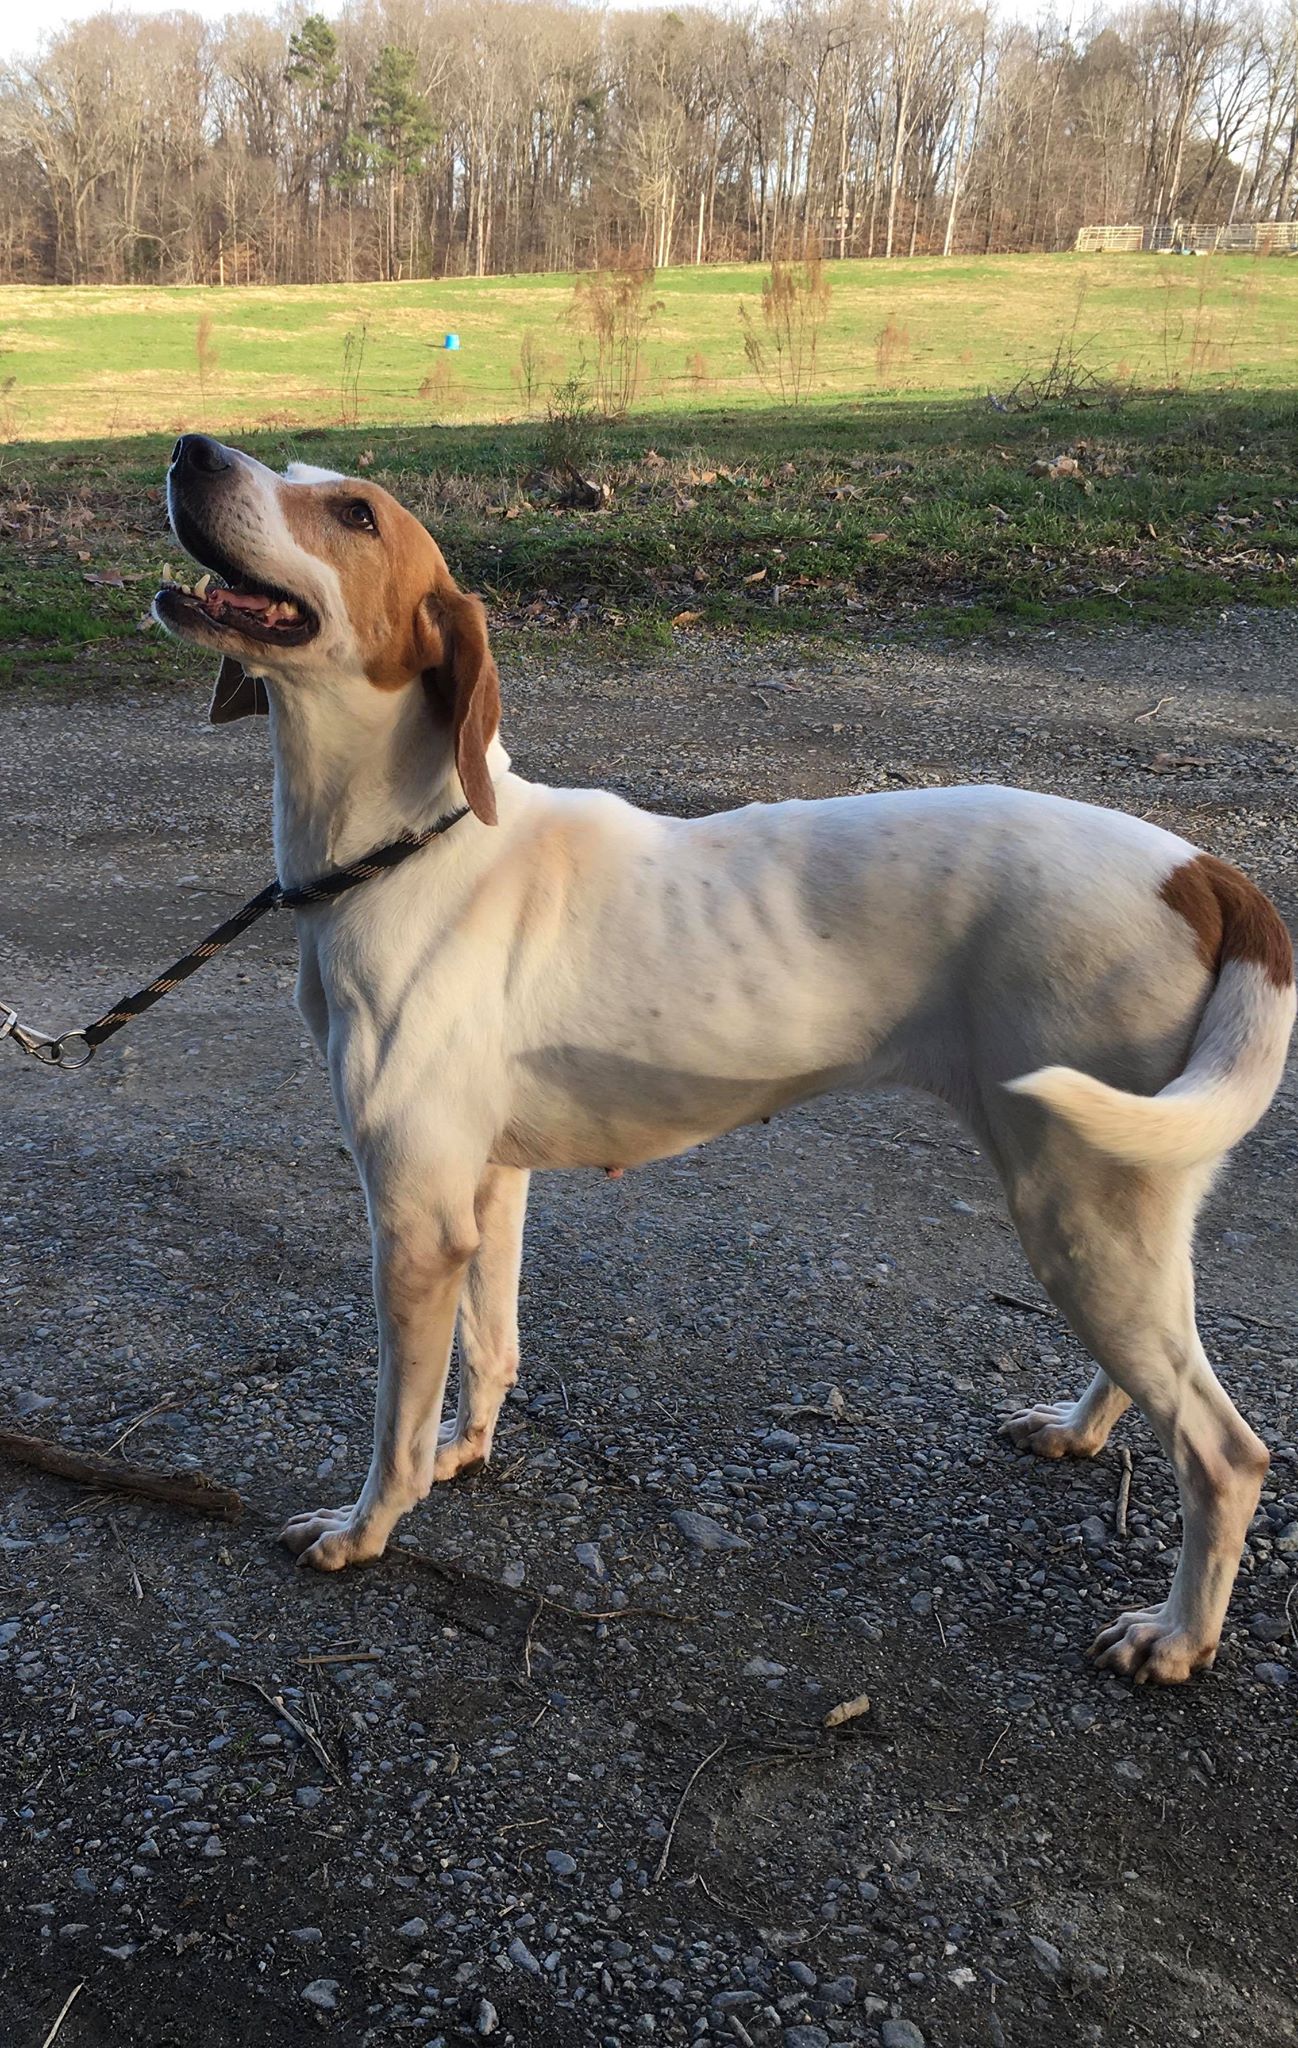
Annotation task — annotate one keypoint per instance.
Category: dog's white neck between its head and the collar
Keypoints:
(353, 771)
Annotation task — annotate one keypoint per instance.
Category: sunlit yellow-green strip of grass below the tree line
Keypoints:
(124, 361)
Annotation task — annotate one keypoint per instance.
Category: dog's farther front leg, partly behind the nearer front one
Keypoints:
(488, 1324)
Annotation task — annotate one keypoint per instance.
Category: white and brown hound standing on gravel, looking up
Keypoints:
(562, 980)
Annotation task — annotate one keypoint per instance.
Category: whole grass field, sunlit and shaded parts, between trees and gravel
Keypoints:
(898, 497)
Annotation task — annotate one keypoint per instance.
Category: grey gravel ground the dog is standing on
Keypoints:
(756, 1435)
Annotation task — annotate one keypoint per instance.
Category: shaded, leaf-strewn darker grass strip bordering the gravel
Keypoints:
(838, 521)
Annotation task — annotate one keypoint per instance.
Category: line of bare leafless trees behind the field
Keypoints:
(423, 138)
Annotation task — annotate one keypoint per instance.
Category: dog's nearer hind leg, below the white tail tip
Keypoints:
(1111, 1244)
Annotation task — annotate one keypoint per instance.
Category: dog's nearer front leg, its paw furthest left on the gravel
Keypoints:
(421, 1254)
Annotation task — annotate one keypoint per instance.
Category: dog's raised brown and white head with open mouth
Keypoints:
(316, 581)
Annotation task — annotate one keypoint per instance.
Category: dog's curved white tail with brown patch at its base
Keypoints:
(1238, 1052)
